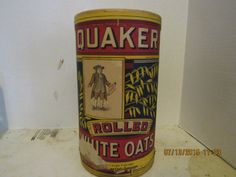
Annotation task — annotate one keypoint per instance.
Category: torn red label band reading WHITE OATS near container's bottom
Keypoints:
(120, 148)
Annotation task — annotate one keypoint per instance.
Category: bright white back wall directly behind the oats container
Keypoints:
(34, 35)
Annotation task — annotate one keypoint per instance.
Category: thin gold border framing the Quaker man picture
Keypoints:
(123, 86)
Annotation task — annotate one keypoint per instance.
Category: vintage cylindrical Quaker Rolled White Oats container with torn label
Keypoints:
(117, 61)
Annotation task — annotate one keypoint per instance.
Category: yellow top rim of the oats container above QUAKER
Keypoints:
(117, 13)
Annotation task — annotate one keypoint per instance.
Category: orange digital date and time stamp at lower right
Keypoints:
(191, 152)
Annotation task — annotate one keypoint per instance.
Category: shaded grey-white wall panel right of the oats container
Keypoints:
(209, 87)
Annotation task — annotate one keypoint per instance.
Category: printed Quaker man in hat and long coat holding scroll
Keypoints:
(99, 83)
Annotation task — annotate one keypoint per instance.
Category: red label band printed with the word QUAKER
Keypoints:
(117, 37)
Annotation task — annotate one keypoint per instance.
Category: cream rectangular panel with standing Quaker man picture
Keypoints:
(103, 88)
